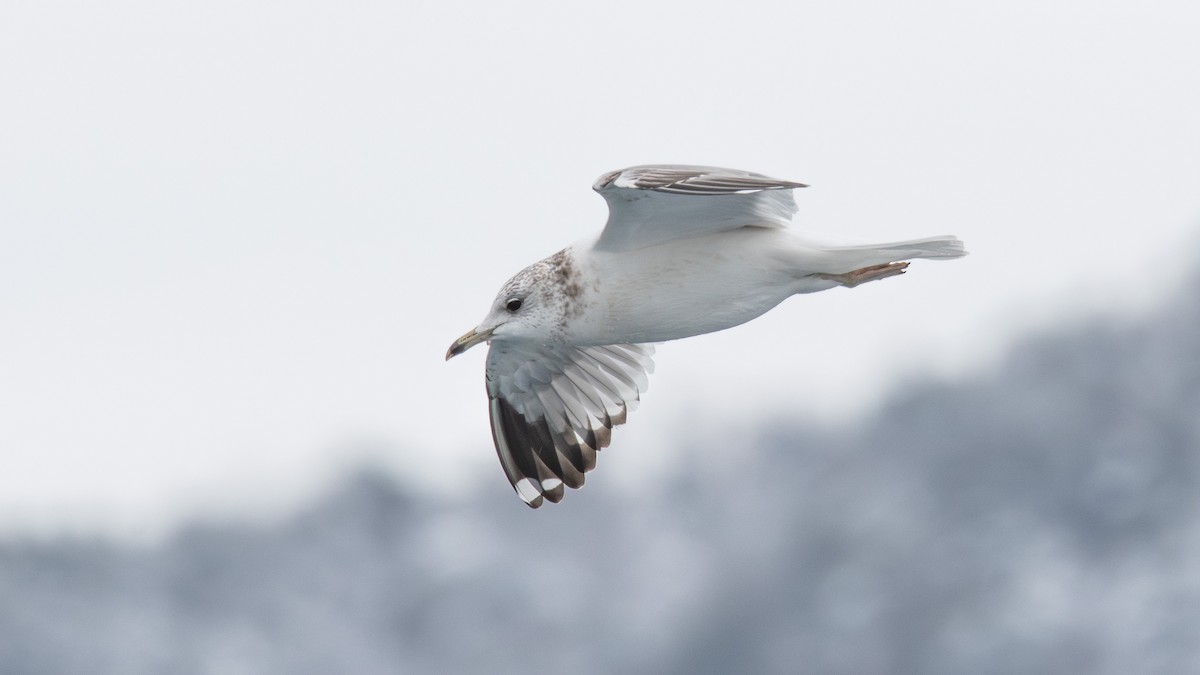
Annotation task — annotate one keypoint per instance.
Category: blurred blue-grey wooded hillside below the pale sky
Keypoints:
(1040, 518)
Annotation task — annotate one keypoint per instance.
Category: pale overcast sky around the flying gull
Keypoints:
(237, 238)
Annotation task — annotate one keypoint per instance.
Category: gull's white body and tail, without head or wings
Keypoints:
(705, 284)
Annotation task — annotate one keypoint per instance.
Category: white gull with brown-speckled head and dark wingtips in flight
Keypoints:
(687, 250)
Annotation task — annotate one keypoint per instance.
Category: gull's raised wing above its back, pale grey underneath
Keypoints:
(652, 205)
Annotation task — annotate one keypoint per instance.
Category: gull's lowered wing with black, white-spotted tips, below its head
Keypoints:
(554, 407)
